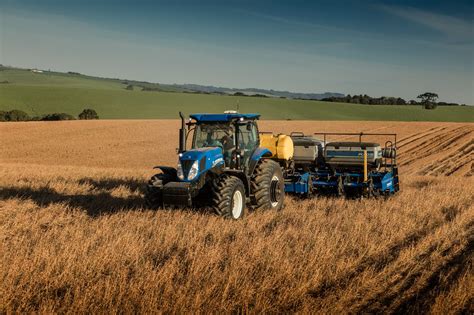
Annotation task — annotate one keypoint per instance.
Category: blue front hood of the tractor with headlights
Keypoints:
(206, 158)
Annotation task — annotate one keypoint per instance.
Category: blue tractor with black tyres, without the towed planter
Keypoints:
(225, 168)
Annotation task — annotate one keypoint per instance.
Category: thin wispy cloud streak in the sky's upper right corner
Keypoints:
(453, 27)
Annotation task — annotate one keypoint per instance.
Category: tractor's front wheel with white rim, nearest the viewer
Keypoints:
(228, 197)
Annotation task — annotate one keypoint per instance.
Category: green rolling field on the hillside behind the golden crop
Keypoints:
(42, 93)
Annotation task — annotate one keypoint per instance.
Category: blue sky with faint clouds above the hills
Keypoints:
(391, 48)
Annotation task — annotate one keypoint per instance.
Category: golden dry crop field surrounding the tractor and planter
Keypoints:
(76, 237)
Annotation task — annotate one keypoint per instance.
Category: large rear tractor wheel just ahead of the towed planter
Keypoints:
(268, 186)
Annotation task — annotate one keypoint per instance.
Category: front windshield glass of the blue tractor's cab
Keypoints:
(214, 135)
